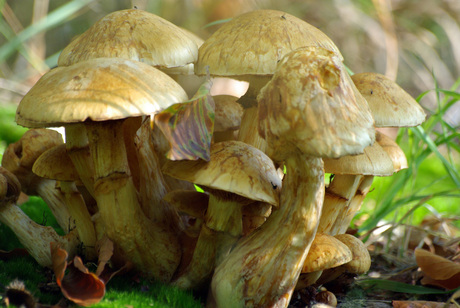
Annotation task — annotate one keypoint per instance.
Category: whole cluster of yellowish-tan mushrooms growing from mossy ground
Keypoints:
(254, 233)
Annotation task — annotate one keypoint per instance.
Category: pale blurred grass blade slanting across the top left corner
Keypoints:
(53, 19)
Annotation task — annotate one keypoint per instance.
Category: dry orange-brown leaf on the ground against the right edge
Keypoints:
(437, 270)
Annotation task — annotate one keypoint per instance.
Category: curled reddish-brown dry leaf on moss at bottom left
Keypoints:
(78, 285)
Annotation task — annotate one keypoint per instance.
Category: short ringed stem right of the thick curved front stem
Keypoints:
(339, 193)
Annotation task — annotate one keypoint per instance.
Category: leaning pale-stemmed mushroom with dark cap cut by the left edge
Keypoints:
(34, 237)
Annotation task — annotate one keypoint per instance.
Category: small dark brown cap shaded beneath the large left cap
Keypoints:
(56, 164)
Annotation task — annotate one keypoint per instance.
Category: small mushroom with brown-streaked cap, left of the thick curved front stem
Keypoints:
(237, 175)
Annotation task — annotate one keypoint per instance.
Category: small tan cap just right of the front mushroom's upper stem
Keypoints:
(374, 161)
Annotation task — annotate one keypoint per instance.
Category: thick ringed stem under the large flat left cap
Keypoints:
(149, 246)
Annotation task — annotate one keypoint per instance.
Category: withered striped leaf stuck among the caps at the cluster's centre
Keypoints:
(189, 126)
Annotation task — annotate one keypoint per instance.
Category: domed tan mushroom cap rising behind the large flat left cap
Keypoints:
(135, 35)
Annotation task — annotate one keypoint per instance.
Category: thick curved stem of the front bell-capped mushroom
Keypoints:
(263, 268)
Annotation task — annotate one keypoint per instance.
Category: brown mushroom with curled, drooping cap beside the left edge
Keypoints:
(19, 158)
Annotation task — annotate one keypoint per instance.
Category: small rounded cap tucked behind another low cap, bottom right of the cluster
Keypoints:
(361, 261)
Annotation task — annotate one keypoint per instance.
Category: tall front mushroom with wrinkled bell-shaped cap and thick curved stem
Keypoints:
(307, 111)
